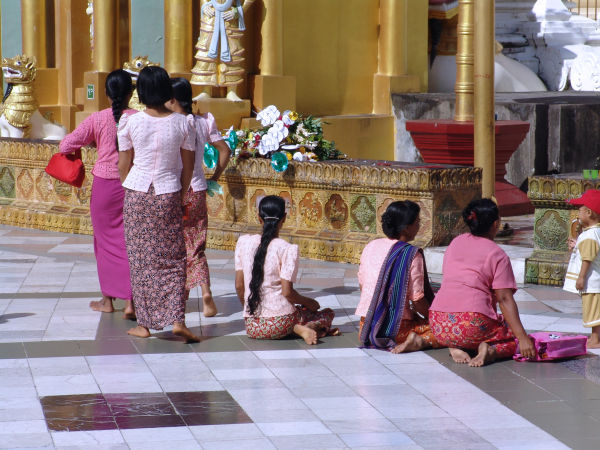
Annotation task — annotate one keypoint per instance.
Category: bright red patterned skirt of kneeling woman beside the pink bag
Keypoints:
(466, 330)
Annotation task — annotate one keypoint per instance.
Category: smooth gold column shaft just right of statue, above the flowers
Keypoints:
(271, 57)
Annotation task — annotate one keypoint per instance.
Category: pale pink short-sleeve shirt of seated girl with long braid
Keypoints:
(281, 262)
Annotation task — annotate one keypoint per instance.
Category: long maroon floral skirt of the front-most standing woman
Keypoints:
(156, 252)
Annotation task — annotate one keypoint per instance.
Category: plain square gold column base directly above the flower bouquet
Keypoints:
(275, 90)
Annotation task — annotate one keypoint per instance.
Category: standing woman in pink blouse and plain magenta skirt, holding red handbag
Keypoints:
(106, 203)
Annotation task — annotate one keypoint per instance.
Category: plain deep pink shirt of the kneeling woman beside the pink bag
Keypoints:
(473, 268)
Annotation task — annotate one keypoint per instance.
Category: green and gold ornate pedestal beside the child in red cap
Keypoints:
(554, 223)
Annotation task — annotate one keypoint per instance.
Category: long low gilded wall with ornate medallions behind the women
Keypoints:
(333, 207)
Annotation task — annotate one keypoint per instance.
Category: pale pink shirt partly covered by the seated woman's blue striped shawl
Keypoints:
(371, 260)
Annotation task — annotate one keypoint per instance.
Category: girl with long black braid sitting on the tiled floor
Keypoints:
(265, 270)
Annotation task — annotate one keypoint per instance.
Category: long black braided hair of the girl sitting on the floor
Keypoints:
(271, 210)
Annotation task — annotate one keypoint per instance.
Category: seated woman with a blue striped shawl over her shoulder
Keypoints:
(395, 290)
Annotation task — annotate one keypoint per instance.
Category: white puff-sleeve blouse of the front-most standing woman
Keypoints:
(156, 142)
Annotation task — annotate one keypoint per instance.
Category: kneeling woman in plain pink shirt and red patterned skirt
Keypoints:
(477, 276)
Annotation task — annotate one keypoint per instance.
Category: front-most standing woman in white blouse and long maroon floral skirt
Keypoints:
(160, 144)
